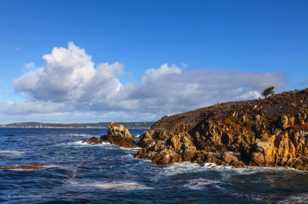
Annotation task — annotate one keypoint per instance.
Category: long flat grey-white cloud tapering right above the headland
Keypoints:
(169, 89)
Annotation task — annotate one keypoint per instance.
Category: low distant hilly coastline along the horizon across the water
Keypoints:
(74, 125)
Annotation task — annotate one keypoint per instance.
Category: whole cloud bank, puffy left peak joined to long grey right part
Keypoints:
(69, 80)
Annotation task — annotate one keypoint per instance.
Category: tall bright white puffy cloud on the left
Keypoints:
(67, 75)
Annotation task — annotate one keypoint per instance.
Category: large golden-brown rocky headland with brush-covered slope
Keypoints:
(263, 132)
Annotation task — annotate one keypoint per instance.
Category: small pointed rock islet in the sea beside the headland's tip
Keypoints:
(116, 134)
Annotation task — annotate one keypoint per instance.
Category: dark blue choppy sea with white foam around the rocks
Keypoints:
(78, 173)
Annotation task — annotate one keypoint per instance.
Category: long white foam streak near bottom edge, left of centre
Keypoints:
(115, 185)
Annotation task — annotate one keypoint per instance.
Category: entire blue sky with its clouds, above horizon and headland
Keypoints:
(138, 60)
